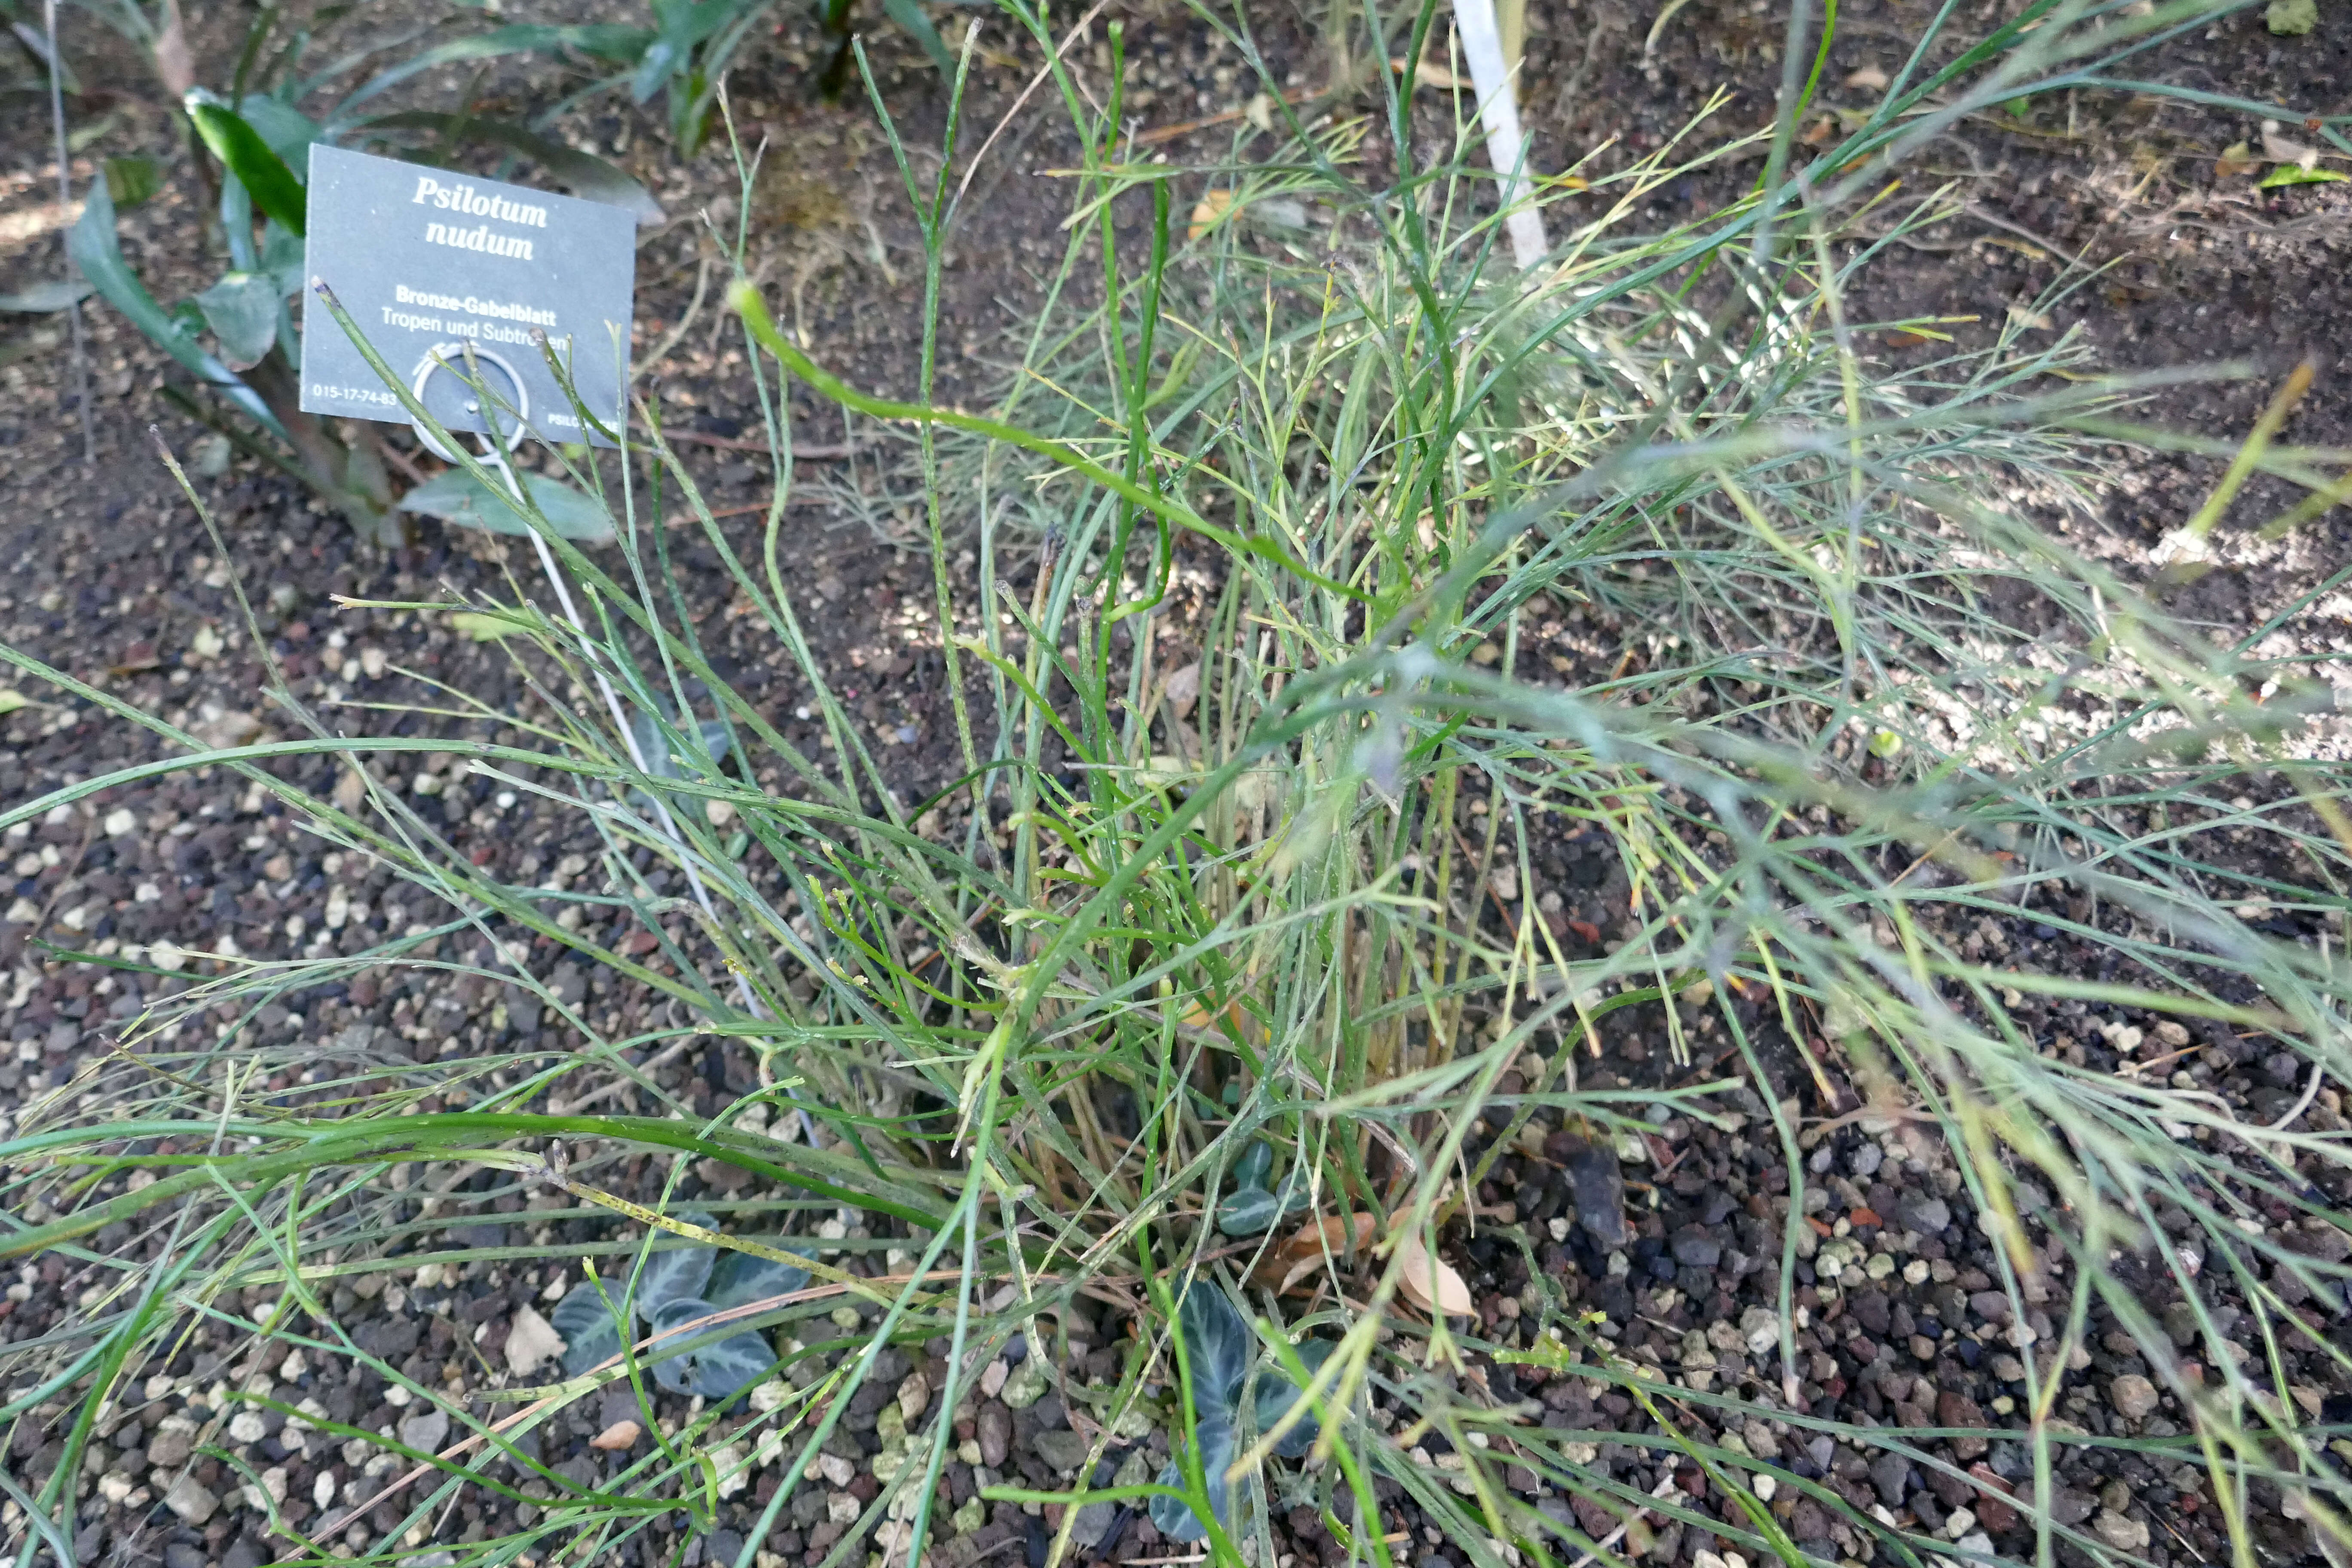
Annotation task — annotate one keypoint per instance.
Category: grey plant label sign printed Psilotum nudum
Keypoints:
(429, 262)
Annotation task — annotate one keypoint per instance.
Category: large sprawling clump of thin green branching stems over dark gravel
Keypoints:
(1038, 1019)
